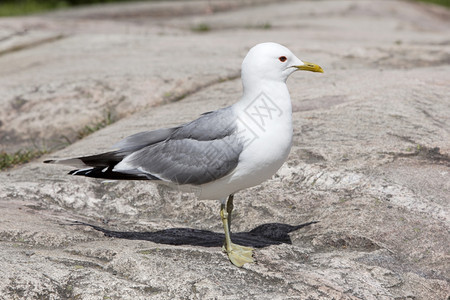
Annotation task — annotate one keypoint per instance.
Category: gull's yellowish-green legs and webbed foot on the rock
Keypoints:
(238, 255)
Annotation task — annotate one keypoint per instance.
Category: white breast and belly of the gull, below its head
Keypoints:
(265, 127)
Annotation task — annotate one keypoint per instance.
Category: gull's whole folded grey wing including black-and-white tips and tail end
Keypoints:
(194, 153)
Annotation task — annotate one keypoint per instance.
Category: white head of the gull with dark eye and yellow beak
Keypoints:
(274, 62)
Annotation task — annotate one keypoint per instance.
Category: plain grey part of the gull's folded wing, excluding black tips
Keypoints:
(196, 153)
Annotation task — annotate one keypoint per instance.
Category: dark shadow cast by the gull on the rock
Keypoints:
(259, 237)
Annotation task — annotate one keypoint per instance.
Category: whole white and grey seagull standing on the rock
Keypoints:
(220, 153)
